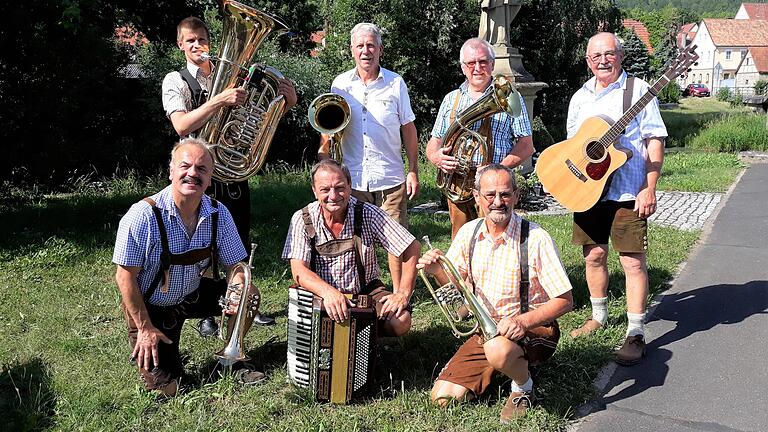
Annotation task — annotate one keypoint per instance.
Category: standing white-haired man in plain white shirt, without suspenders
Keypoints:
(380, 126)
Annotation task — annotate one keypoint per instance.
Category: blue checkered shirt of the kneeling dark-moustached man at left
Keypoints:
(138, 244)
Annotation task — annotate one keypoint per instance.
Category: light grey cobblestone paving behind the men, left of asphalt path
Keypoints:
(683, 210)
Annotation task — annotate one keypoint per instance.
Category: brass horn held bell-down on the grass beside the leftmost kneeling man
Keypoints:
(246, 310)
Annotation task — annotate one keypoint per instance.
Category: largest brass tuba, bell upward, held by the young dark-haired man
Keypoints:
(240, 135)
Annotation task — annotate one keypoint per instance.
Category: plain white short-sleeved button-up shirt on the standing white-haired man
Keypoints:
(372, 144)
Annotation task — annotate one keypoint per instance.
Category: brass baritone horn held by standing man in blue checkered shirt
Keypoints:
(464, 142)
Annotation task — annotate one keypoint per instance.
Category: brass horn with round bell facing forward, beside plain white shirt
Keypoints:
(329, 114)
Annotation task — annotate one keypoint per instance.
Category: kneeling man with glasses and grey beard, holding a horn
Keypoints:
(487, 253)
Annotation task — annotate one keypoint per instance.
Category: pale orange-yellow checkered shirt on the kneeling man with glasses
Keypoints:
(496, 266)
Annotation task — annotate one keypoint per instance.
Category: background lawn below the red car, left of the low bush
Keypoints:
(690, 116)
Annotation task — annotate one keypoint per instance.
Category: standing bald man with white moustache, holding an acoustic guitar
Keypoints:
(629, 199)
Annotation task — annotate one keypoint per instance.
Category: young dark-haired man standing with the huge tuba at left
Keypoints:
(187, 104)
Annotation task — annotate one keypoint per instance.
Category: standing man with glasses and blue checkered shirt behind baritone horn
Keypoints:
(511, 136)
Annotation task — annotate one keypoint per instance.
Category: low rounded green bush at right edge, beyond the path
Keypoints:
(735, 133)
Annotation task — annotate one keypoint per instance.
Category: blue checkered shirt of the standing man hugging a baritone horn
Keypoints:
(505, 129)
